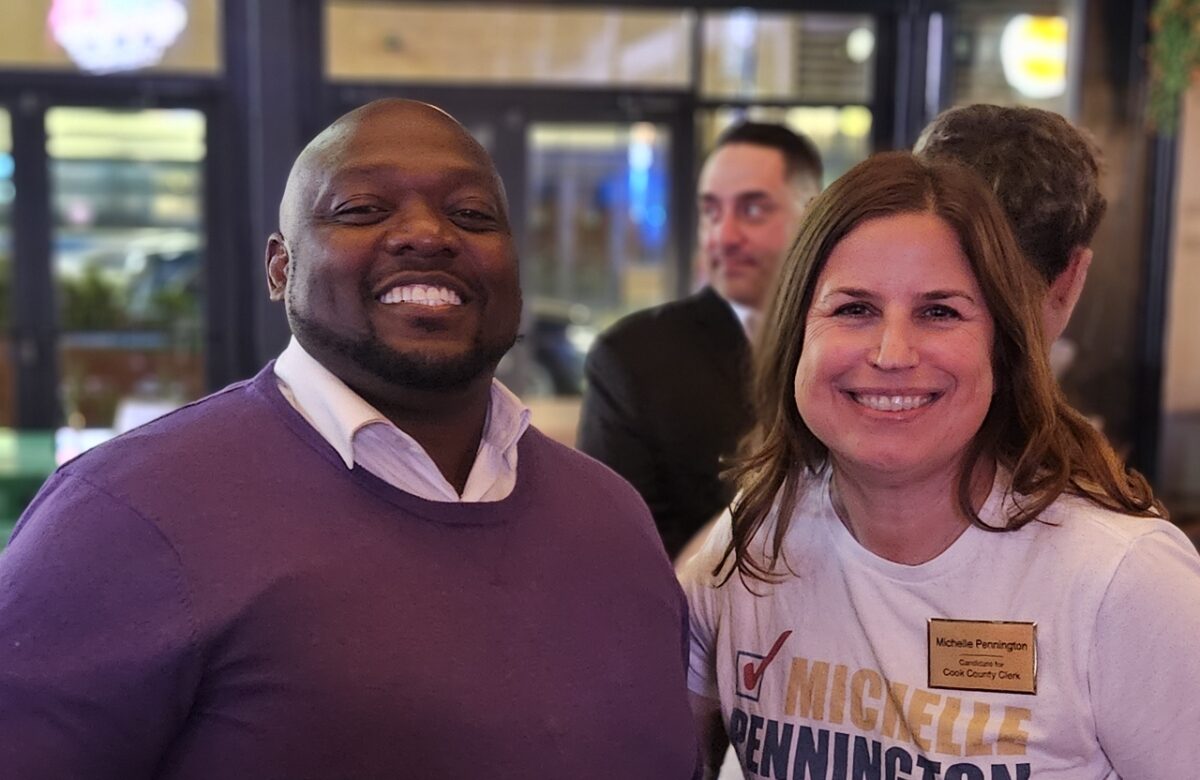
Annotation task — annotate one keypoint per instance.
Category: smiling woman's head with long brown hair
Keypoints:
(905, 338)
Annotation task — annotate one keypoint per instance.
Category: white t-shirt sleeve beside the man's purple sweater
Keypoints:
(704, 597)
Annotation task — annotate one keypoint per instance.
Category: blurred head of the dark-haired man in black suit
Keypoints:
(753, 194)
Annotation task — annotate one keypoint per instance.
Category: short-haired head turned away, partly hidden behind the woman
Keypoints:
(1046, 175)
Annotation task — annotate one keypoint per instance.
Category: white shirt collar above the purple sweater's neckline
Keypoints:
(338, 413)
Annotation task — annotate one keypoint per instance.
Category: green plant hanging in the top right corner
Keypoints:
(1174, 58)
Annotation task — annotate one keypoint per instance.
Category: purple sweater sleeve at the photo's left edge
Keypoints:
(97, 640)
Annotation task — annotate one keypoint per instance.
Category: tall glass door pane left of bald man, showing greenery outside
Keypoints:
(128, 202)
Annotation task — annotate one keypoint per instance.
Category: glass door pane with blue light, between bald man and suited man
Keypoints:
(599, 237)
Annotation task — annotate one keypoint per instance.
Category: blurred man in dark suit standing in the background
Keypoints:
(668, 388)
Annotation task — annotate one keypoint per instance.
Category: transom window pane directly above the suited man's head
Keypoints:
(818, 58)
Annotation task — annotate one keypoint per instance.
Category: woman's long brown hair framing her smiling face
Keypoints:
(1030, 430)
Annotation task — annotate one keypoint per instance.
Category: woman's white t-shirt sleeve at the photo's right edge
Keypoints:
(1145, 669)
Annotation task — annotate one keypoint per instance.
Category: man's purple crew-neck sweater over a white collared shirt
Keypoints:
(217, 596)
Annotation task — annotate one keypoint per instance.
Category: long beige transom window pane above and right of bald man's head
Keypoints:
(483, 44)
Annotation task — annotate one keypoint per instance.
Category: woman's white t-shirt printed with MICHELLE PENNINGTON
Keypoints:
(848, 692)
